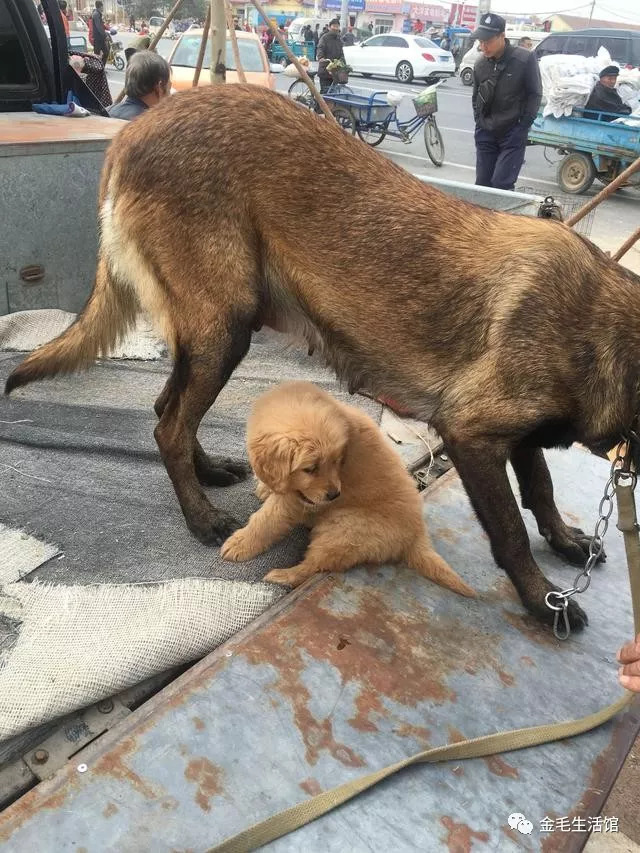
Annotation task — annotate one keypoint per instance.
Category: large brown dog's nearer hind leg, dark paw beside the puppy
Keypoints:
(203, 364)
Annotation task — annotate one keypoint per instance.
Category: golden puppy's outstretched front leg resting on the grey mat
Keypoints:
(268, 525)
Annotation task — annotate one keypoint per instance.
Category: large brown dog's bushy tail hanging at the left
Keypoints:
(110, 312)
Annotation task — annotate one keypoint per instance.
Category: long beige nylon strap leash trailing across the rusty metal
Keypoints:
(293, 818)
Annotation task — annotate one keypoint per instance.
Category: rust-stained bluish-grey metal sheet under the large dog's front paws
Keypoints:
(353, 673)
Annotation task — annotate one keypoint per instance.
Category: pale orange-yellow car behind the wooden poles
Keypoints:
(253, 58)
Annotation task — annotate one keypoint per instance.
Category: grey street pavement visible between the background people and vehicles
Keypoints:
(613, 220)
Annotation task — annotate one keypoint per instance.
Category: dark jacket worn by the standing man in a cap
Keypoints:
(506, 91)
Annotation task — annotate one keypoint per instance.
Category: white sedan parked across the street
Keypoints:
(401, 56)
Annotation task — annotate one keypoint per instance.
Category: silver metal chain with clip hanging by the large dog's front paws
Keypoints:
(558, 601)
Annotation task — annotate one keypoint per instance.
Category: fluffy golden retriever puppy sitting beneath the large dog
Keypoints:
(327, 466)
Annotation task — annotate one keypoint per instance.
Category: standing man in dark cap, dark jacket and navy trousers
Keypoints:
(506, 95)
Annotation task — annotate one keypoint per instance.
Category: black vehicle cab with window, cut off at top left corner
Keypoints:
(34, 68)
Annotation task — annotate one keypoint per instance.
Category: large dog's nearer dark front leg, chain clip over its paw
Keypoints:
(482, 468)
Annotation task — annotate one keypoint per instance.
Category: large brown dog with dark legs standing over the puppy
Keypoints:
(280, 218)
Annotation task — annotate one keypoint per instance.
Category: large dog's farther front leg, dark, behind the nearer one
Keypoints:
(536, 491)
